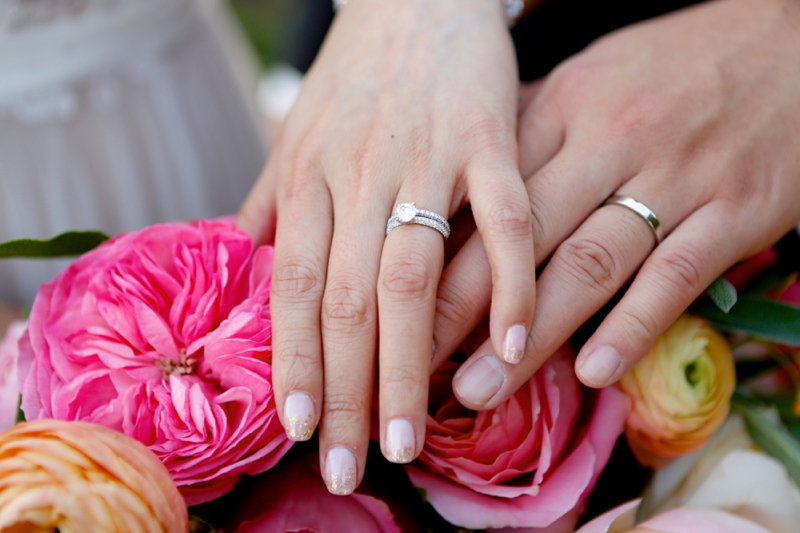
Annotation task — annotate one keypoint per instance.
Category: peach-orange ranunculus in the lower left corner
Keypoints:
(76, 477)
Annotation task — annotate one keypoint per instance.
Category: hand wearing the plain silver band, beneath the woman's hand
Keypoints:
(696, 115)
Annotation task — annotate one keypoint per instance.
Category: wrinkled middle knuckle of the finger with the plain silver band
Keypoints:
(590, 262)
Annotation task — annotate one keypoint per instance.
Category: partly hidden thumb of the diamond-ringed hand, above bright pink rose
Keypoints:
(258, 214)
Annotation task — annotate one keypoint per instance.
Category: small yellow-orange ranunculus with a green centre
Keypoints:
(681, 392)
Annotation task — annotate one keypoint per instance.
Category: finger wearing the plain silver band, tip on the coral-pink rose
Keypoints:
(584, 273)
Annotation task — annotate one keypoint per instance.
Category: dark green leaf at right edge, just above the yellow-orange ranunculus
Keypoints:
(758, 316)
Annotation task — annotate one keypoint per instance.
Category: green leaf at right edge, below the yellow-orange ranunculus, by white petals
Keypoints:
(772, 438)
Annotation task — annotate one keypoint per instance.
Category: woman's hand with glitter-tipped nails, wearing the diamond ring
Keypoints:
(411, 101)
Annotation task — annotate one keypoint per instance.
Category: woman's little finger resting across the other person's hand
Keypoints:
(503, 217)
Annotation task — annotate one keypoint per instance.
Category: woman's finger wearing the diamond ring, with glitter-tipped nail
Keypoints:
(411, 264)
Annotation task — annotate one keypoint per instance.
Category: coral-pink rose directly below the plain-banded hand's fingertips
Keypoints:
(531, 462)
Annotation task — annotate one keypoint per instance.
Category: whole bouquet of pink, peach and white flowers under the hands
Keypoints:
(144, 374)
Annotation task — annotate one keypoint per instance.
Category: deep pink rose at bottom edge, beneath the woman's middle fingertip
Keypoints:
(294, 498)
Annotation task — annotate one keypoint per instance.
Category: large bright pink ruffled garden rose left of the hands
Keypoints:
(164, 334)
